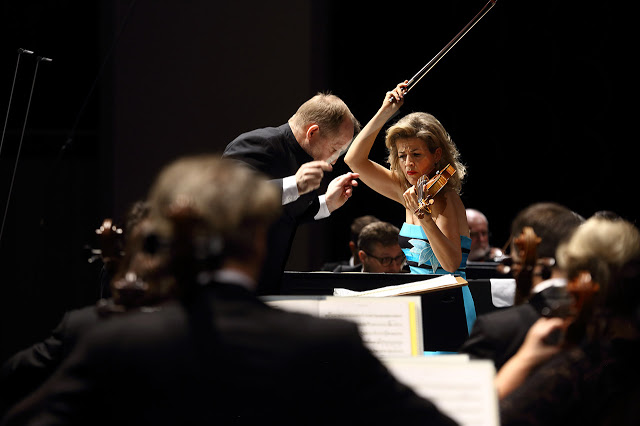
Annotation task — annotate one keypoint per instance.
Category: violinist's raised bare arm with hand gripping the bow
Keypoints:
(376, 176)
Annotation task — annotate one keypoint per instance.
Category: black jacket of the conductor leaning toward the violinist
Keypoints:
(275, 152)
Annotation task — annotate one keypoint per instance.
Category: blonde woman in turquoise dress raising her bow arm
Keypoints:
(439, 242)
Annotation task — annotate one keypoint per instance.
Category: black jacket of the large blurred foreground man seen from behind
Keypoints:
(227, 359)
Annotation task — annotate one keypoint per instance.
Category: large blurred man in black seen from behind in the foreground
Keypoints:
(218, 354)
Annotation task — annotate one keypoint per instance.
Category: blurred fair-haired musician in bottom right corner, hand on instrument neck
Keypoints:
(590, 374)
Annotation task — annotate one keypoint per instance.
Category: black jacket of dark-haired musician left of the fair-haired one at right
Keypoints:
(498, 335)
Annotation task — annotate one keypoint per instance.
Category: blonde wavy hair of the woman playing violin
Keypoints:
(426, 127)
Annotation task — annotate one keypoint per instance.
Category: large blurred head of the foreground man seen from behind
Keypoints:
(214, 213)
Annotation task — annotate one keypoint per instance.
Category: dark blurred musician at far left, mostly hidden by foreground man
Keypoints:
(138, 283)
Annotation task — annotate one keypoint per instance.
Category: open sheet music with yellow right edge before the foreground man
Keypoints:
(389, 326)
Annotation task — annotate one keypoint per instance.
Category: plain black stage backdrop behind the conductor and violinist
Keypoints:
(536, 96)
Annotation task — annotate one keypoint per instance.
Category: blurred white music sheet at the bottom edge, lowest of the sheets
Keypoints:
(462, 389)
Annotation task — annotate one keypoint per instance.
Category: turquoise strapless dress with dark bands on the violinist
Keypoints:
(422, 260)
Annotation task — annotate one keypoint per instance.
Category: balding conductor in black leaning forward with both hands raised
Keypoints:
(296, 155)
